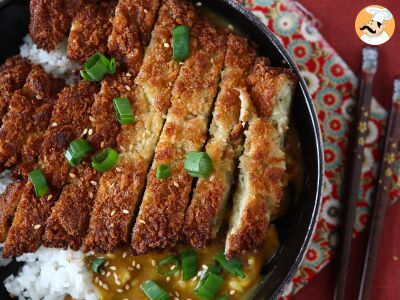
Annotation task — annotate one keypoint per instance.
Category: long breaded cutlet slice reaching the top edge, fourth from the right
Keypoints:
(121, 187)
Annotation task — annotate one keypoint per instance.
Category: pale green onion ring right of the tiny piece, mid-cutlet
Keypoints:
(198, 164)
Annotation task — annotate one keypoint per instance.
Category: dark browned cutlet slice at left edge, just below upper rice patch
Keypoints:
(28, 117)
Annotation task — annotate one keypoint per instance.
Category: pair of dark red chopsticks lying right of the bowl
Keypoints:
(358, 138)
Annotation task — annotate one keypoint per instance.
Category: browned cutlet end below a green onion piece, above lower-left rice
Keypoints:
(25, 234)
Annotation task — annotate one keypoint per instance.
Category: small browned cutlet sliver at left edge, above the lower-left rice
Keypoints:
(8, 204)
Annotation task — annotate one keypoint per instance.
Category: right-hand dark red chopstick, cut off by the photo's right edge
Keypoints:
(391, 147)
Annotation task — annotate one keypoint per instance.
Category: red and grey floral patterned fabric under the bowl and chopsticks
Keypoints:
(332, 85)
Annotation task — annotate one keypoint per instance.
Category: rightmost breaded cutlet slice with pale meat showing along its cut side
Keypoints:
(262, 164)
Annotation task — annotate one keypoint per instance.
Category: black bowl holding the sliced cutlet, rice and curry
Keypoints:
(295, 230)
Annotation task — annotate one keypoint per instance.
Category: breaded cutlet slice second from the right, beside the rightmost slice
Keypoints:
(205, 213)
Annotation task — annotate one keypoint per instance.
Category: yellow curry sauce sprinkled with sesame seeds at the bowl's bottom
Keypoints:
(122, 274)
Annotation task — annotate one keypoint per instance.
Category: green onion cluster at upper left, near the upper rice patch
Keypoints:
(97, 66)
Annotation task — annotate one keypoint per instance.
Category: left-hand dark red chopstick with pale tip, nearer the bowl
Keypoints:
(369, 67)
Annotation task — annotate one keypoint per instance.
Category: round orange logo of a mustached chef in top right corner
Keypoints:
(375, 25)
